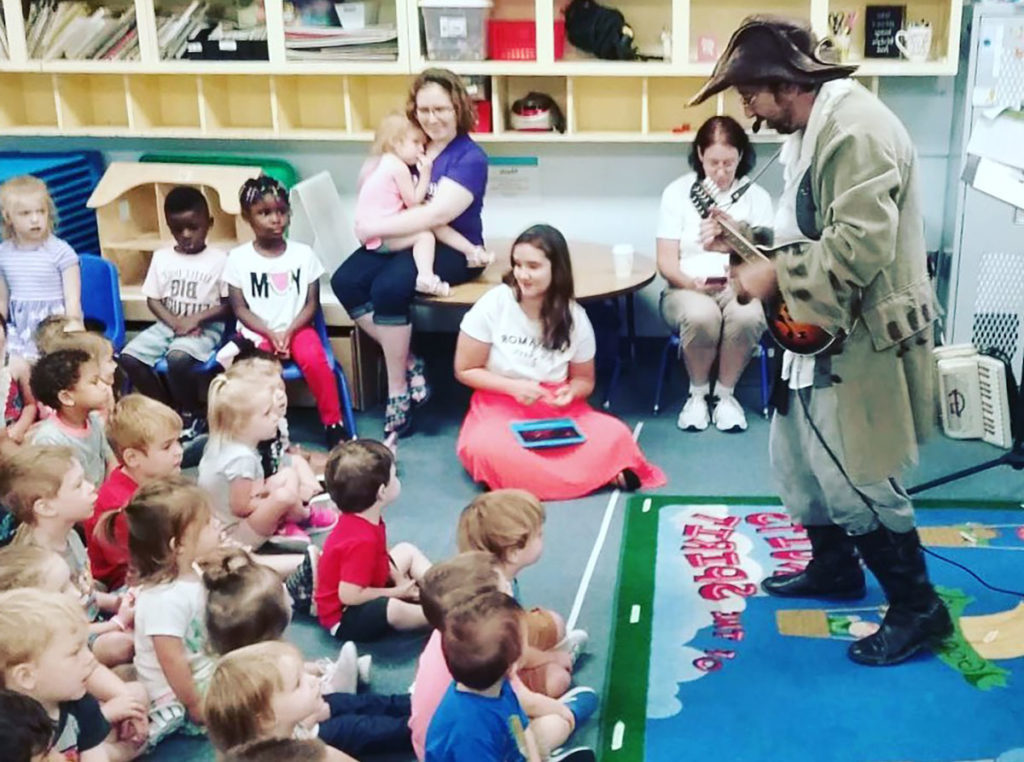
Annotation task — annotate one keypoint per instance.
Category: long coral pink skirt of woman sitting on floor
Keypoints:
(491, 453)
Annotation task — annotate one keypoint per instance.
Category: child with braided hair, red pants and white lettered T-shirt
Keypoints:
(274, 287)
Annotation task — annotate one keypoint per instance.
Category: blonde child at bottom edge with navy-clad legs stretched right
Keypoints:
(264, 690)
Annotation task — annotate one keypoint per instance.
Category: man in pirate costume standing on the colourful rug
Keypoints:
(847, 420)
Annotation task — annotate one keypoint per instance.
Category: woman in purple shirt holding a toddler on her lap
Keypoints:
(376, 288)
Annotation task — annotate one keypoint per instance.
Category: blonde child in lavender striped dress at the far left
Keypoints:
(39, 273)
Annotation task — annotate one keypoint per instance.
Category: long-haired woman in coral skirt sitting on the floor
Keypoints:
(528, 350)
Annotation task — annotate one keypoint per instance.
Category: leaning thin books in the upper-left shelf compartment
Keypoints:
(74, 30)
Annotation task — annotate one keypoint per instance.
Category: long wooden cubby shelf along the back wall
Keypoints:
(331, 100)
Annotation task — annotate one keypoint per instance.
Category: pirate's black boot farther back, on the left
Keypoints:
(834, 573)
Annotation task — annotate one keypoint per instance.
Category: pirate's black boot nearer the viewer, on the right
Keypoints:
(917, 617)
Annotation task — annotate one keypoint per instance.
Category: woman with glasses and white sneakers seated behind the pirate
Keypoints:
(699, 302)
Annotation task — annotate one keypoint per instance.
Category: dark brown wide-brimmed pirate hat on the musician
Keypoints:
(769, 49)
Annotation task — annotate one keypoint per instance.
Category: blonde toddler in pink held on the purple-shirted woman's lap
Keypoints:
(387, 187)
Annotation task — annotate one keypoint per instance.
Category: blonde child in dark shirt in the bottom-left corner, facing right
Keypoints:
(45, 656)
